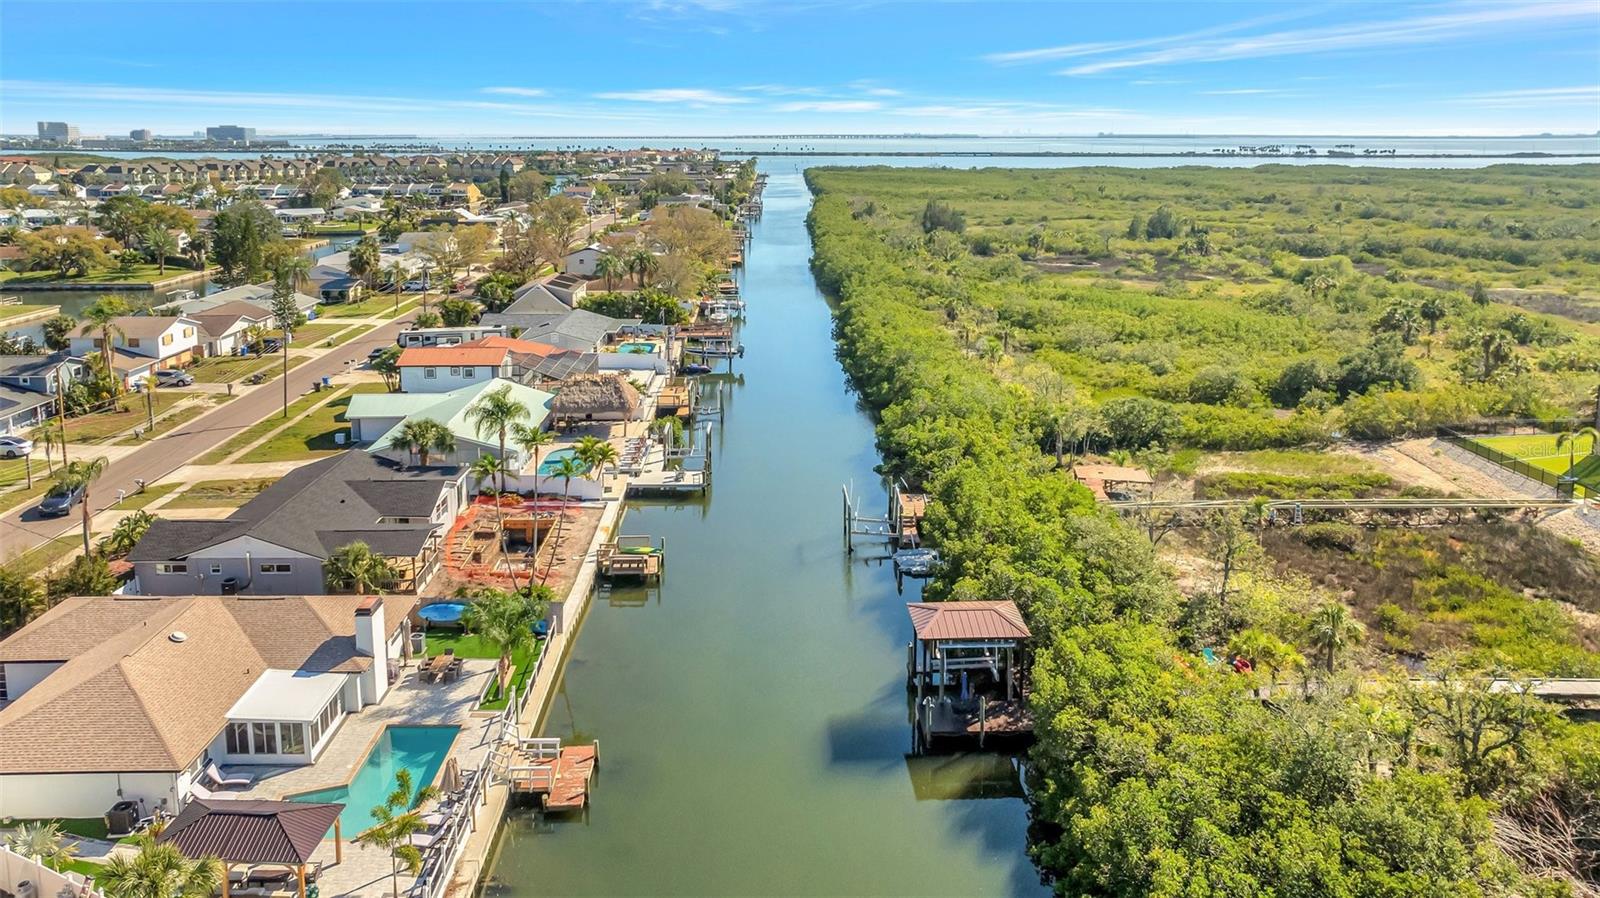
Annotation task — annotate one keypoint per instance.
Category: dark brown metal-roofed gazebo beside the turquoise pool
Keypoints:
(246, 832)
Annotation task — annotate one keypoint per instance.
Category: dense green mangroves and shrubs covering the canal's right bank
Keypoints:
(1156, 774)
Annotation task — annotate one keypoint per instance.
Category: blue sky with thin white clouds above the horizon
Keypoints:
(708, 68)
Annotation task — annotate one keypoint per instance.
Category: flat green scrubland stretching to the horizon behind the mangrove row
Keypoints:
(1190, 305)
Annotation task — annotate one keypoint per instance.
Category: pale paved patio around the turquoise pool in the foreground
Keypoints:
(410, 704)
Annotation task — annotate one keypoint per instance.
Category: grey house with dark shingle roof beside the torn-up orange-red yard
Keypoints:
(276, 545)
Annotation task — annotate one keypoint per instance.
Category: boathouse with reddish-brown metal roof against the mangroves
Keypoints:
(966, 636)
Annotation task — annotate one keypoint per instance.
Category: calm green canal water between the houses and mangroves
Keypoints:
(751, 712)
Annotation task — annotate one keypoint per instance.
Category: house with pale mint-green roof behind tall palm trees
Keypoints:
(377, 419)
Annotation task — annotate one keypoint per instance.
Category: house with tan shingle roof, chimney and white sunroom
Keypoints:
(132, 697)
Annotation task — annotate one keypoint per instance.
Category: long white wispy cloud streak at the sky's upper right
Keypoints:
(1465, 22)
